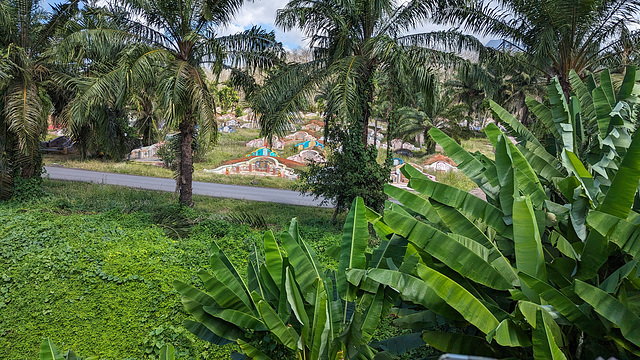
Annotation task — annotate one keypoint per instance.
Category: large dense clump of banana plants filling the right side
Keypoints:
(546, 267)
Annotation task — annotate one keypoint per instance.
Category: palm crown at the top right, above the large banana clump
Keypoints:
(556, 36)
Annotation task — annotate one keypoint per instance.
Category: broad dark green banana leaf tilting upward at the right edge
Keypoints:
(619, 199)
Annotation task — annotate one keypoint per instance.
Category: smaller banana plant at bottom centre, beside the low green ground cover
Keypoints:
(290, 306)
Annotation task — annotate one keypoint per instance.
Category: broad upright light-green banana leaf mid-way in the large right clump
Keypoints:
(528, 245)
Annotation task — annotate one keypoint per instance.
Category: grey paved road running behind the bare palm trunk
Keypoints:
(169, 185)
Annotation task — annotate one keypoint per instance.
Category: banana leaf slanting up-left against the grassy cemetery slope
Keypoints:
(485, 178)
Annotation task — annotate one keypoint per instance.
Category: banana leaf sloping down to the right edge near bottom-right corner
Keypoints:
(611, 309)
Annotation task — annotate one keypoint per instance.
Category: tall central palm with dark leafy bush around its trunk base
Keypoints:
(360, 48)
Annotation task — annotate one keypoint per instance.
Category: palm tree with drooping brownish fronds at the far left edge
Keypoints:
(26, 36)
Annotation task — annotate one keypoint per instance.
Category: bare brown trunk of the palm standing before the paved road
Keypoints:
(185, 169)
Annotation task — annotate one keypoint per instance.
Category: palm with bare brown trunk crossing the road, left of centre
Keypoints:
(169, 44)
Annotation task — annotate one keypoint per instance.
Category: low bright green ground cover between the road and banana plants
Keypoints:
(91, 267)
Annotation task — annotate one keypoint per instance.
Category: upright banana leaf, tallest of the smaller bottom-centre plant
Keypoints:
(355, 237)
